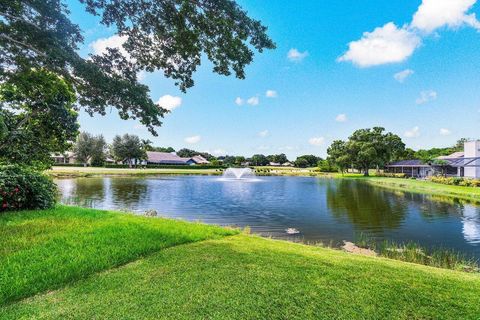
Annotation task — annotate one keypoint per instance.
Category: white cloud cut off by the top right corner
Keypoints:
(434, 14)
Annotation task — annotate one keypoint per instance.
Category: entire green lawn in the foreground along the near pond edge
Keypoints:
(240, 276)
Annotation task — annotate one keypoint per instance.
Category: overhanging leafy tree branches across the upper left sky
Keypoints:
(172, 36)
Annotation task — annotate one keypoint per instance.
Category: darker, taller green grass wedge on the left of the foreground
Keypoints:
(44, 250)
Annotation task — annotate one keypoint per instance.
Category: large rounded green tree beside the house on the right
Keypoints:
(366, 149)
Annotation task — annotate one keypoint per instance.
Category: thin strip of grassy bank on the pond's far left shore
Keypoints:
(73, 172)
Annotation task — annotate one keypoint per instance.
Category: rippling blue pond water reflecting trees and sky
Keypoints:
(325, 210)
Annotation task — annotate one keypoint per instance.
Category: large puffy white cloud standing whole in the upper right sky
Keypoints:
(387, 44)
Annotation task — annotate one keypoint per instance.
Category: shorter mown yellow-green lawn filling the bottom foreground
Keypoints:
(247, 277)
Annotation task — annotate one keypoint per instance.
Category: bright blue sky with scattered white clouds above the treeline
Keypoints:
(333, 72)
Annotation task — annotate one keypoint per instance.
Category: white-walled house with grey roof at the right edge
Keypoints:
(459, 164)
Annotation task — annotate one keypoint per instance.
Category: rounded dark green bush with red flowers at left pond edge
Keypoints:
(23, 188)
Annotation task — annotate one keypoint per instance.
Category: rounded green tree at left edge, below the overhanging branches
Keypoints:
(37, 117)
